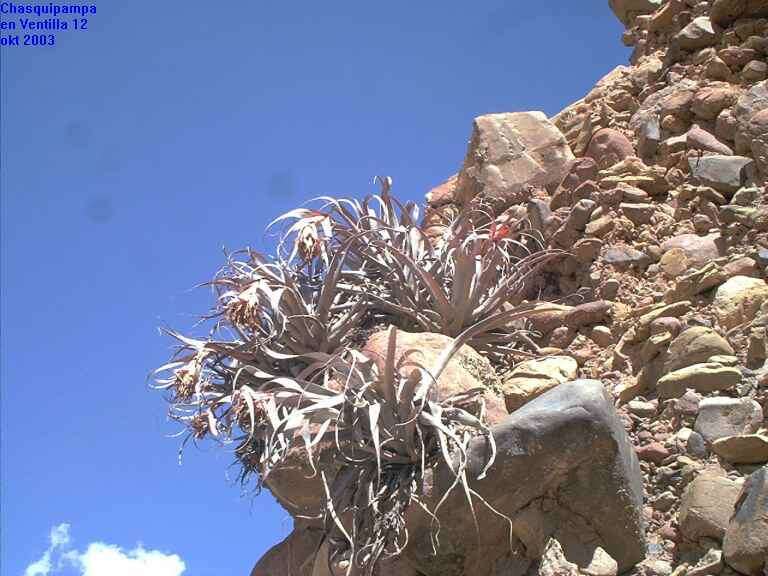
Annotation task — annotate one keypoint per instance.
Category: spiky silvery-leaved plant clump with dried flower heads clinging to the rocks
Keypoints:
(282, 370)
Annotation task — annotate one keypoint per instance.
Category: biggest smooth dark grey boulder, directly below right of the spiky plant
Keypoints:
(567, 444)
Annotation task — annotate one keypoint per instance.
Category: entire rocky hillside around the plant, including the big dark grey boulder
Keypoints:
(631, 429)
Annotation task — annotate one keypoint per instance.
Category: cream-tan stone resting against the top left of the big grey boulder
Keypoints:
(534, 377)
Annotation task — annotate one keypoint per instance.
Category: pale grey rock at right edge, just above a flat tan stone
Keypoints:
(722, 416)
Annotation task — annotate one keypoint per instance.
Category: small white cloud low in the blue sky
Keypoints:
(100, 559)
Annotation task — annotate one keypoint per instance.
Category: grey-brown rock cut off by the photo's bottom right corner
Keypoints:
(746, 541)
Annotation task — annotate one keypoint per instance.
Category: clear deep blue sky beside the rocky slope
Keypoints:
(133, 152)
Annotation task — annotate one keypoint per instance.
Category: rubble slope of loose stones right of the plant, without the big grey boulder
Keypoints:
(655, 182)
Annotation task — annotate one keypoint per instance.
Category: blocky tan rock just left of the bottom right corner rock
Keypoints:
(706, 506)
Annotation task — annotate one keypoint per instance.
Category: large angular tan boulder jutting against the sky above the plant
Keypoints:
(509, 153)
